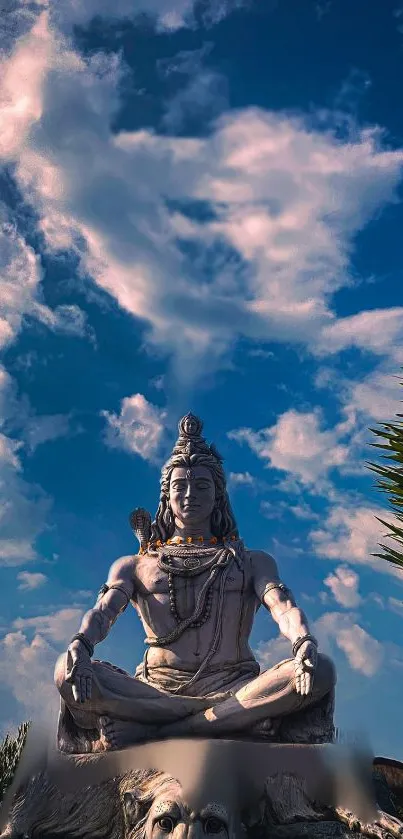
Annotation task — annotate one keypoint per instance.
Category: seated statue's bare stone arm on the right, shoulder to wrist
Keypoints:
(277, 597)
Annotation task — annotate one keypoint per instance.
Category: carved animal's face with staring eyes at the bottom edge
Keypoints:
(171, 818)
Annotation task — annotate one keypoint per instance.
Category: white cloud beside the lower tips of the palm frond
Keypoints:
(352, 534)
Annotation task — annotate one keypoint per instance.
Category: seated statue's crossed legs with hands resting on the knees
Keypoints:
(127, 709)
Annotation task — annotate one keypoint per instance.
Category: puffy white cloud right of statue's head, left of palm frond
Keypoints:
(298, 445)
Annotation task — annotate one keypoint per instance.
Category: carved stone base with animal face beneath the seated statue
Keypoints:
(238, 790)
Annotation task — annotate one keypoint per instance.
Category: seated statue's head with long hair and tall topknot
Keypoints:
(196, 463)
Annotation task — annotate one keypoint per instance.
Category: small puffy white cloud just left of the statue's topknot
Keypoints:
(138, 428)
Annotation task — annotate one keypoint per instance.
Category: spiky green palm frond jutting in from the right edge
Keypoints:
(390, 482)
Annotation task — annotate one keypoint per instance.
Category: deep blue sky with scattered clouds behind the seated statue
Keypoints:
(200, 210)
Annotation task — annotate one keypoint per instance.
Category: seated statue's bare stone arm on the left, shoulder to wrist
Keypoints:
(112, 601)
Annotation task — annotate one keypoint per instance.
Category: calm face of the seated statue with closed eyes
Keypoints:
(192, 494)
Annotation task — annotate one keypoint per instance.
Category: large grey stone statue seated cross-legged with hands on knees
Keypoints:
(196, 588)
